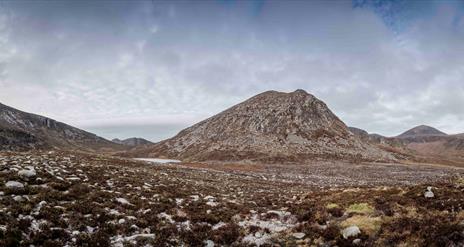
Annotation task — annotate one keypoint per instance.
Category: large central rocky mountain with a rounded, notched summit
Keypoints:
(271, 126)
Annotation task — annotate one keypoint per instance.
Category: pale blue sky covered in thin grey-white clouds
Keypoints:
(151, 68)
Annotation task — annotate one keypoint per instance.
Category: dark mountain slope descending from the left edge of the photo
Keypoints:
(22, 130)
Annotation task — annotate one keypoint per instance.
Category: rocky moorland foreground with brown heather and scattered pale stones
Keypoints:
(74, 199)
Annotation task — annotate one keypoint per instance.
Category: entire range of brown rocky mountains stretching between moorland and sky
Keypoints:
(269, 127)
